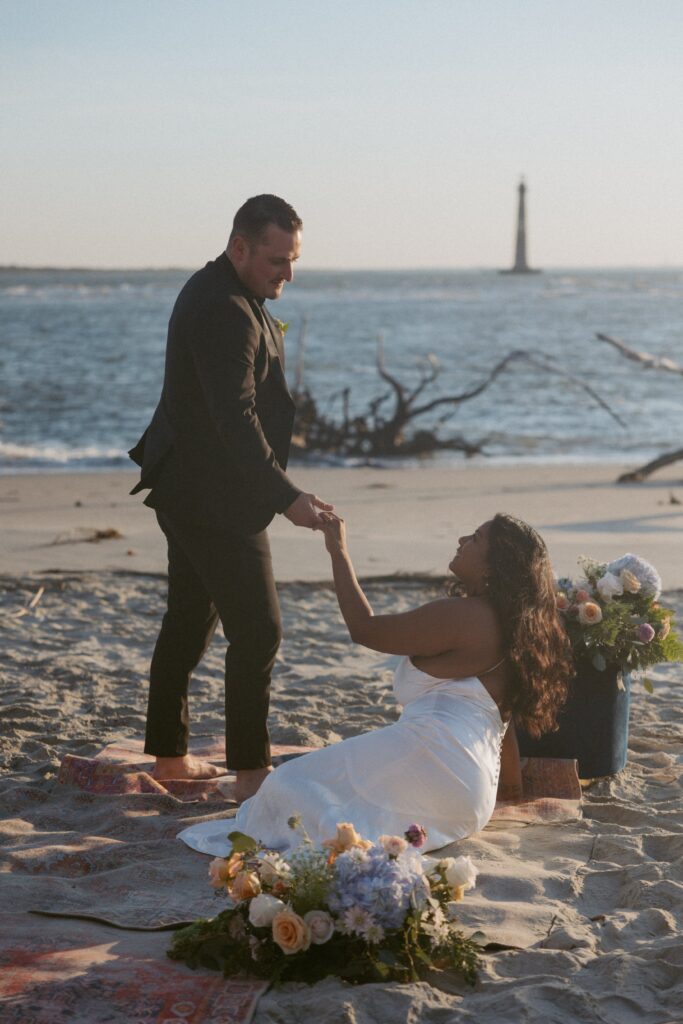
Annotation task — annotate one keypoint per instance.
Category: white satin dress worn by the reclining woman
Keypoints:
(438, 766)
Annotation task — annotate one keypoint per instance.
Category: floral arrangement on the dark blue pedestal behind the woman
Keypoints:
(613, 616)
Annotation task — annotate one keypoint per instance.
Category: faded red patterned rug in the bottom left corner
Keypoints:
(80, 973)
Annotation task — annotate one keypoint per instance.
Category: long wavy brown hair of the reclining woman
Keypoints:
(522, 588)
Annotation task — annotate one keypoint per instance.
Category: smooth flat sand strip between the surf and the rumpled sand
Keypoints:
(401, 522)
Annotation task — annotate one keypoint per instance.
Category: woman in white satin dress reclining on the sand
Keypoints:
(471, 663)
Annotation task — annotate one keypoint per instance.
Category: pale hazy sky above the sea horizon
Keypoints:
(133, 130)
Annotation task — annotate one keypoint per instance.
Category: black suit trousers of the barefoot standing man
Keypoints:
(216, 575)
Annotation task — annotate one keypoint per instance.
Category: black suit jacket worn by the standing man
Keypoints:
(217, 449)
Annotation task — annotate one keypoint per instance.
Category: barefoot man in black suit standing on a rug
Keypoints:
(215, 458)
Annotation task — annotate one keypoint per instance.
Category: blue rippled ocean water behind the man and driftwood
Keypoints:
(82, 358)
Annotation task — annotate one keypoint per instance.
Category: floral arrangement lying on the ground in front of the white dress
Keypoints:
(361, 911)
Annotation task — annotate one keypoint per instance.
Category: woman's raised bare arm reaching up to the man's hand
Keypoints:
(432, 629)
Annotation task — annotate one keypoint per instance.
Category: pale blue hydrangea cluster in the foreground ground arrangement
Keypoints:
(385, 886)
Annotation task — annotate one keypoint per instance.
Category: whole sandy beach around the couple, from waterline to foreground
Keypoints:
(583, 919)
